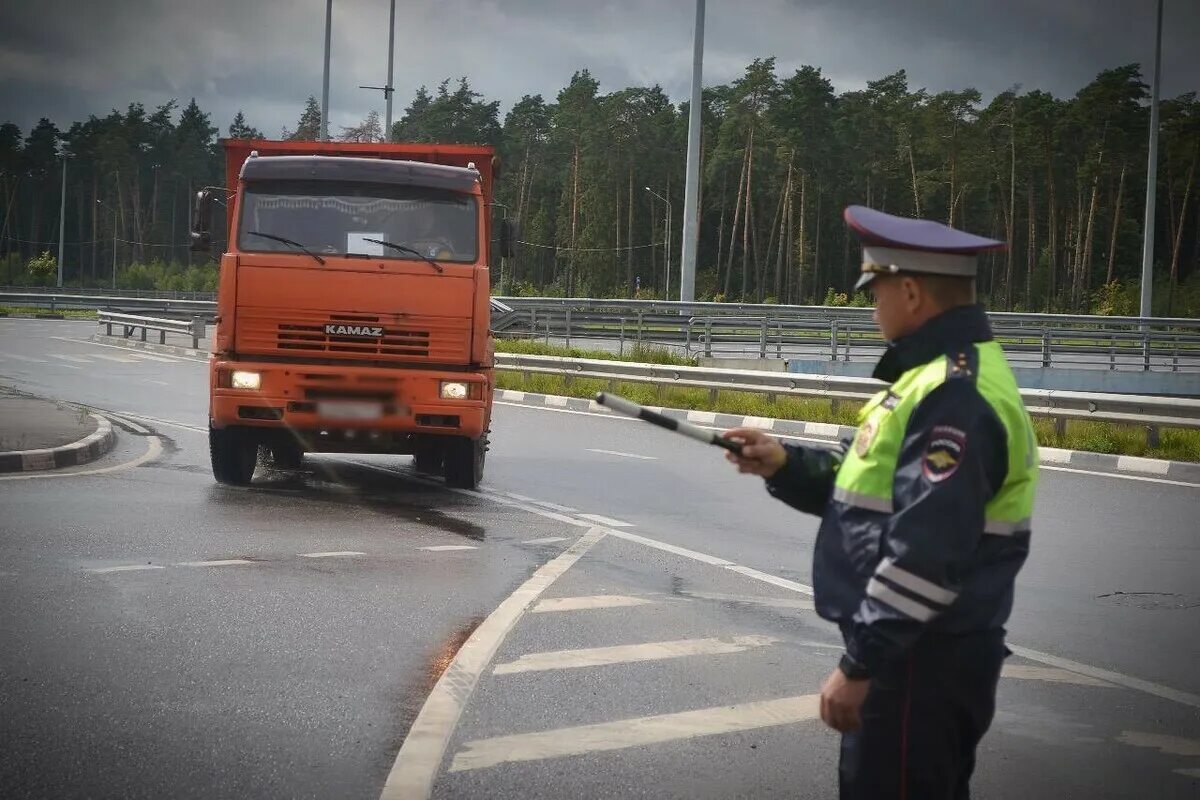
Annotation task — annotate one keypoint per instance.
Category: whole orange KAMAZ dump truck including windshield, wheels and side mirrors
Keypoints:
(353, 306)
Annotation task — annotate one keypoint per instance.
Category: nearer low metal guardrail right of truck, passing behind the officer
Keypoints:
(1060, 406)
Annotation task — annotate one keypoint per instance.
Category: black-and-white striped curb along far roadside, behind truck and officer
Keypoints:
(1049, 456)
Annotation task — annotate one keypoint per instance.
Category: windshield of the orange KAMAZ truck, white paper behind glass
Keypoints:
(343, 219)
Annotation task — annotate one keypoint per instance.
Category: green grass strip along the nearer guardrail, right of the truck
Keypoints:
(1096, 437)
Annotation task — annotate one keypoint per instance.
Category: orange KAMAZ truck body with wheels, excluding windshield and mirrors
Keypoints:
(355, 354)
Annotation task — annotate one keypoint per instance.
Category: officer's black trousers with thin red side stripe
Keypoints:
(922, 720)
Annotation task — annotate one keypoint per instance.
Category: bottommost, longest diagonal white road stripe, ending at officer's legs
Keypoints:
(635, 733)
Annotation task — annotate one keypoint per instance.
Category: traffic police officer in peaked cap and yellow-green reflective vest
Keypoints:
(926, 520)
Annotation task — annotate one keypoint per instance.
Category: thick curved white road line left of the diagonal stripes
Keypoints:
(421, 757)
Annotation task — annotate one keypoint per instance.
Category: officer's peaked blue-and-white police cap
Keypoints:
(895, 245)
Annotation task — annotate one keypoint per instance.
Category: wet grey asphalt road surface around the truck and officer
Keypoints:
(242, 667)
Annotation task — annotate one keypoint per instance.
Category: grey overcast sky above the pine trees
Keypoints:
(67, 59)
